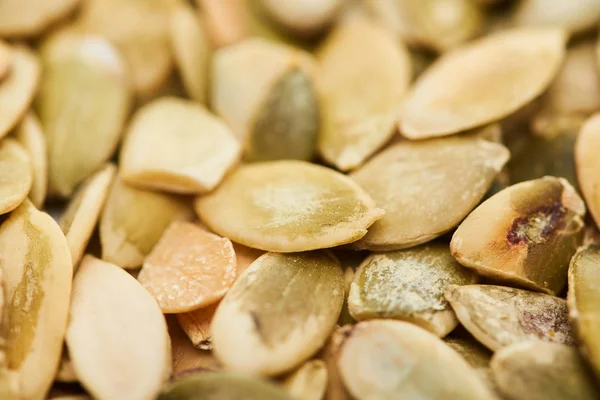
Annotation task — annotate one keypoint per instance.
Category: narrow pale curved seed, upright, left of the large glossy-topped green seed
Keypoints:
(30, 135)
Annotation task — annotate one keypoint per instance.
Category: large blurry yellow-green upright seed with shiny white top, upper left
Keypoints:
(82, 132)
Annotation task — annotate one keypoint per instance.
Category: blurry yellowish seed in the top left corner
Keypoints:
(20, 18)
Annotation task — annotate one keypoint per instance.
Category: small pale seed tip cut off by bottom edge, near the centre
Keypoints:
(308, 382)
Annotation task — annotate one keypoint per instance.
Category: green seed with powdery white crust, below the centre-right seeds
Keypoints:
(409, 285)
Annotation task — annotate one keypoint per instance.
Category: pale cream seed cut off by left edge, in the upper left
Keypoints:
(18, 88)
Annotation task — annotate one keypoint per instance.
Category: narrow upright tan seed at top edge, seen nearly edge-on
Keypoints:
(191, 50)
